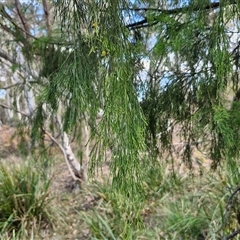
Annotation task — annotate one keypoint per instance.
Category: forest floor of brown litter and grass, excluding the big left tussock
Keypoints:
(192, 207)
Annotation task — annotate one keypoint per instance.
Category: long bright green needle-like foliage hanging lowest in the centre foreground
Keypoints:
(98, 73)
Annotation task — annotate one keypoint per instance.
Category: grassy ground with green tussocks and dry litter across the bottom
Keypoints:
(171, 207)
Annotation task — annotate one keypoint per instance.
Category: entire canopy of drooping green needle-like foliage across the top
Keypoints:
(149, 65)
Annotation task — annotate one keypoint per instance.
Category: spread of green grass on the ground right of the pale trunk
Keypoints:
(174, 207)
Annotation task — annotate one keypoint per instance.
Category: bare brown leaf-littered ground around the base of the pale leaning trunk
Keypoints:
(66, 197)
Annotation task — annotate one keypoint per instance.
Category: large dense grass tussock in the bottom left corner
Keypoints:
(25, 202)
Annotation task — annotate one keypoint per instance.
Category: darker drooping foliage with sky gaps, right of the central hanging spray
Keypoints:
(194, 66)
